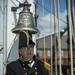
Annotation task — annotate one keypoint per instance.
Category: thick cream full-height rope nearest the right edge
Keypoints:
(70, 37)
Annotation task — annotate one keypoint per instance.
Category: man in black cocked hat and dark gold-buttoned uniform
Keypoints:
(26, 64)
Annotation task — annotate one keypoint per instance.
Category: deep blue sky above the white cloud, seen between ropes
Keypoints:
(47, 5)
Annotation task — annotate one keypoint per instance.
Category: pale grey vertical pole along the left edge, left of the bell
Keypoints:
(5, 7)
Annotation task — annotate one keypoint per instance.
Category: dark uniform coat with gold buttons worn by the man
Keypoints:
(20, 68)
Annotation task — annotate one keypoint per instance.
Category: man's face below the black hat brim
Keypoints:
(27, 52)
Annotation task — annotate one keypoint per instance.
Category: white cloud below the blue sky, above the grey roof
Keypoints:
(44, 22)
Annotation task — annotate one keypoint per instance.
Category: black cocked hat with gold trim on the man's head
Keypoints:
(25, 39)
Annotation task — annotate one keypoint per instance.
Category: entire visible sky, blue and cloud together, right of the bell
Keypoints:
(44, 20)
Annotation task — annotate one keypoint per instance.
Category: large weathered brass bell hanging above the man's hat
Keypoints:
(26, 20)
